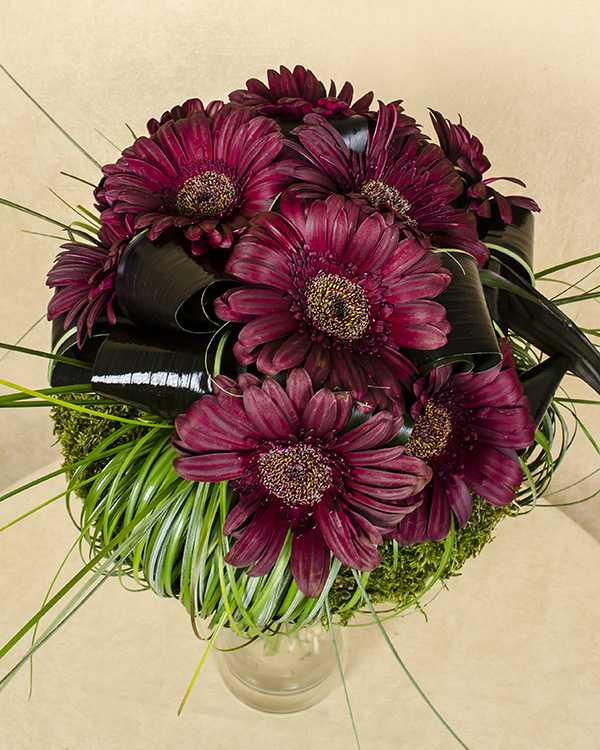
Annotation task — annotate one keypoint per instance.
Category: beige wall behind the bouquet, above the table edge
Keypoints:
(524, 75)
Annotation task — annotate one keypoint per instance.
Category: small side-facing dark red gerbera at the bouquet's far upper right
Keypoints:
(466, 151)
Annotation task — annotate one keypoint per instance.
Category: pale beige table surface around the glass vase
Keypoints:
(510, 656)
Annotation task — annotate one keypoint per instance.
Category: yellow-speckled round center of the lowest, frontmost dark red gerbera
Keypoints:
(297, 475)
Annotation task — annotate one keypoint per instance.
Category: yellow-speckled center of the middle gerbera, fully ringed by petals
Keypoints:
(338, 306)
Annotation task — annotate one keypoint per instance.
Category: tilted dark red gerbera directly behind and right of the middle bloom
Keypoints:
(400, 174)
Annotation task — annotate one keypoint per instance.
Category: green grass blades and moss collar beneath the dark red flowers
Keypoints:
(182, 551)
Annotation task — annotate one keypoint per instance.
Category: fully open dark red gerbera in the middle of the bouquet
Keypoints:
(333, 289)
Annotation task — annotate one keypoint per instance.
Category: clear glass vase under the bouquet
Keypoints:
(283, 672)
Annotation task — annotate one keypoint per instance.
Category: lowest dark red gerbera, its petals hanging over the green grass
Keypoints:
(293, 468)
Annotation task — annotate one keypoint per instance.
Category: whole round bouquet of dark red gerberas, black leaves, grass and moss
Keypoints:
(300, 367)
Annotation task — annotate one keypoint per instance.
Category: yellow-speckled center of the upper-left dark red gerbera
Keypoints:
(206, 195)
